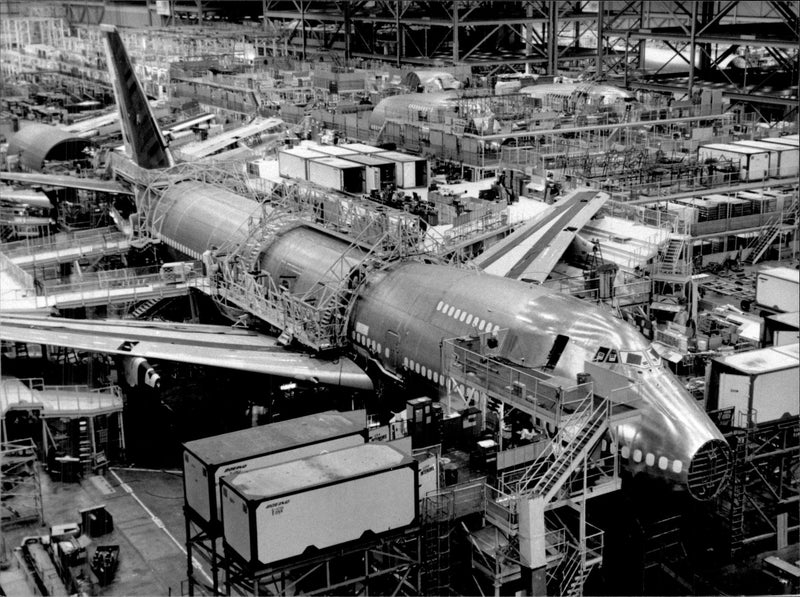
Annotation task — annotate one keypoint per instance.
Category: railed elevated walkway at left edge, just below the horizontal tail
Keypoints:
(66, 247)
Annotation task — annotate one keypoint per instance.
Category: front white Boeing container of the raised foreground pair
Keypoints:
(276, 513)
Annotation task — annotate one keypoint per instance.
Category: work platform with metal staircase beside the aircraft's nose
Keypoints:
(536, 515)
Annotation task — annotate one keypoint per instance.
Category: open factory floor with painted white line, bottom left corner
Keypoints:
(148, 527)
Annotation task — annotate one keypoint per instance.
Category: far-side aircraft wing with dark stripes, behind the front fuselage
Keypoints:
(531, 252)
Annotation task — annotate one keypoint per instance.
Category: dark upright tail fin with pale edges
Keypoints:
(143, 139)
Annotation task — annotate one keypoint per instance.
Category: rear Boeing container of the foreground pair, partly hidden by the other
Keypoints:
(206, 461)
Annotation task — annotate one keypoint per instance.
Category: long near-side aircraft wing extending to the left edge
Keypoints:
(217, 346)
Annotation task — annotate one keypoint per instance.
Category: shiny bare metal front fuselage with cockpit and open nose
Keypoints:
(404, 313)
